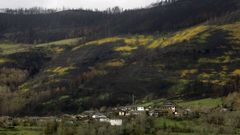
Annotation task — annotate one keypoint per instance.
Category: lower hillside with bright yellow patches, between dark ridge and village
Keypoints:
(70, 76)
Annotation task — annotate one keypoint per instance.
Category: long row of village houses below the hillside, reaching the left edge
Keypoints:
(114, 117)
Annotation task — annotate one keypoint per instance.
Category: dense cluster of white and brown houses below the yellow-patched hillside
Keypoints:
(116, 116)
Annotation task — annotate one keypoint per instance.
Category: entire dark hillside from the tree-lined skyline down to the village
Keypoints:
(164, 51)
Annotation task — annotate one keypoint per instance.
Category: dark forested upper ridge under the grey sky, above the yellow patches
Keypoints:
(37, 26)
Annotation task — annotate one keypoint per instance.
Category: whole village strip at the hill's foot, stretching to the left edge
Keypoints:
(115, 117)
